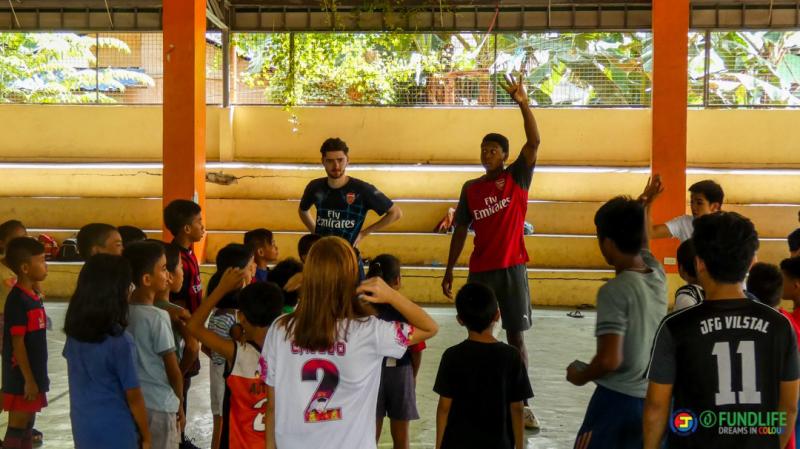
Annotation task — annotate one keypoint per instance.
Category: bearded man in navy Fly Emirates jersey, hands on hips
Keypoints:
(343, 202)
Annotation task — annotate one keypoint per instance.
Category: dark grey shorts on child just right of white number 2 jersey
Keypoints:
(397, 395)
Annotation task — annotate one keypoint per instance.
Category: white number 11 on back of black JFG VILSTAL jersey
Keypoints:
(726, 395)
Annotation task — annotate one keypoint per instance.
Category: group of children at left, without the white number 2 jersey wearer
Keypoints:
(138, 321)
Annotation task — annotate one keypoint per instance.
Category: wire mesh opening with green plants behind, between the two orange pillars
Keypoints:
(454, 69)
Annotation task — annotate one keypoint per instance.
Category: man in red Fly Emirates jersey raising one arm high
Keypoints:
(495, 205)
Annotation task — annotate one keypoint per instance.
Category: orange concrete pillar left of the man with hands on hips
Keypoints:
(184, 24)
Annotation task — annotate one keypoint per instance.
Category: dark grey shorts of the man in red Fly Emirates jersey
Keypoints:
(510, 285)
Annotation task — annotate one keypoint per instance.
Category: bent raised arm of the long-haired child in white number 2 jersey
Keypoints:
(375, 290)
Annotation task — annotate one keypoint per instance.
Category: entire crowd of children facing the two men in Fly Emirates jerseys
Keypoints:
(138, 320)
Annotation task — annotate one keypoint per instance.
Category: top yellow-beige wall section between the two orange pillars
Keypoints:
(421, 135)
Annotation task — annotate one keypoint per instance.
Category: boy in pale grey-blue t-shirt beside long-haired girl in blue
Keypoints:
(156, 361)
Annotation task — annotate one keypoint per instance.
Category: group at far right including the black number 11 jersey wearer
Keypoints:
(650, 367)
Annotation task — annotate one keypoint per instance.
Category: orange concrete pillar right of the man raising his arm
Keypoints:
(670, 78)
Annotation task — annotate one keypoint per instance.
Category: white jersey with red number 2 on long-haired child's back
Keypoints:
(327, 399)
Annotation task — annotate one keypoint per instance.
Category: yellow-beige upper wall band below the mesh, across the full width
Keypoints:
(619, 137)
